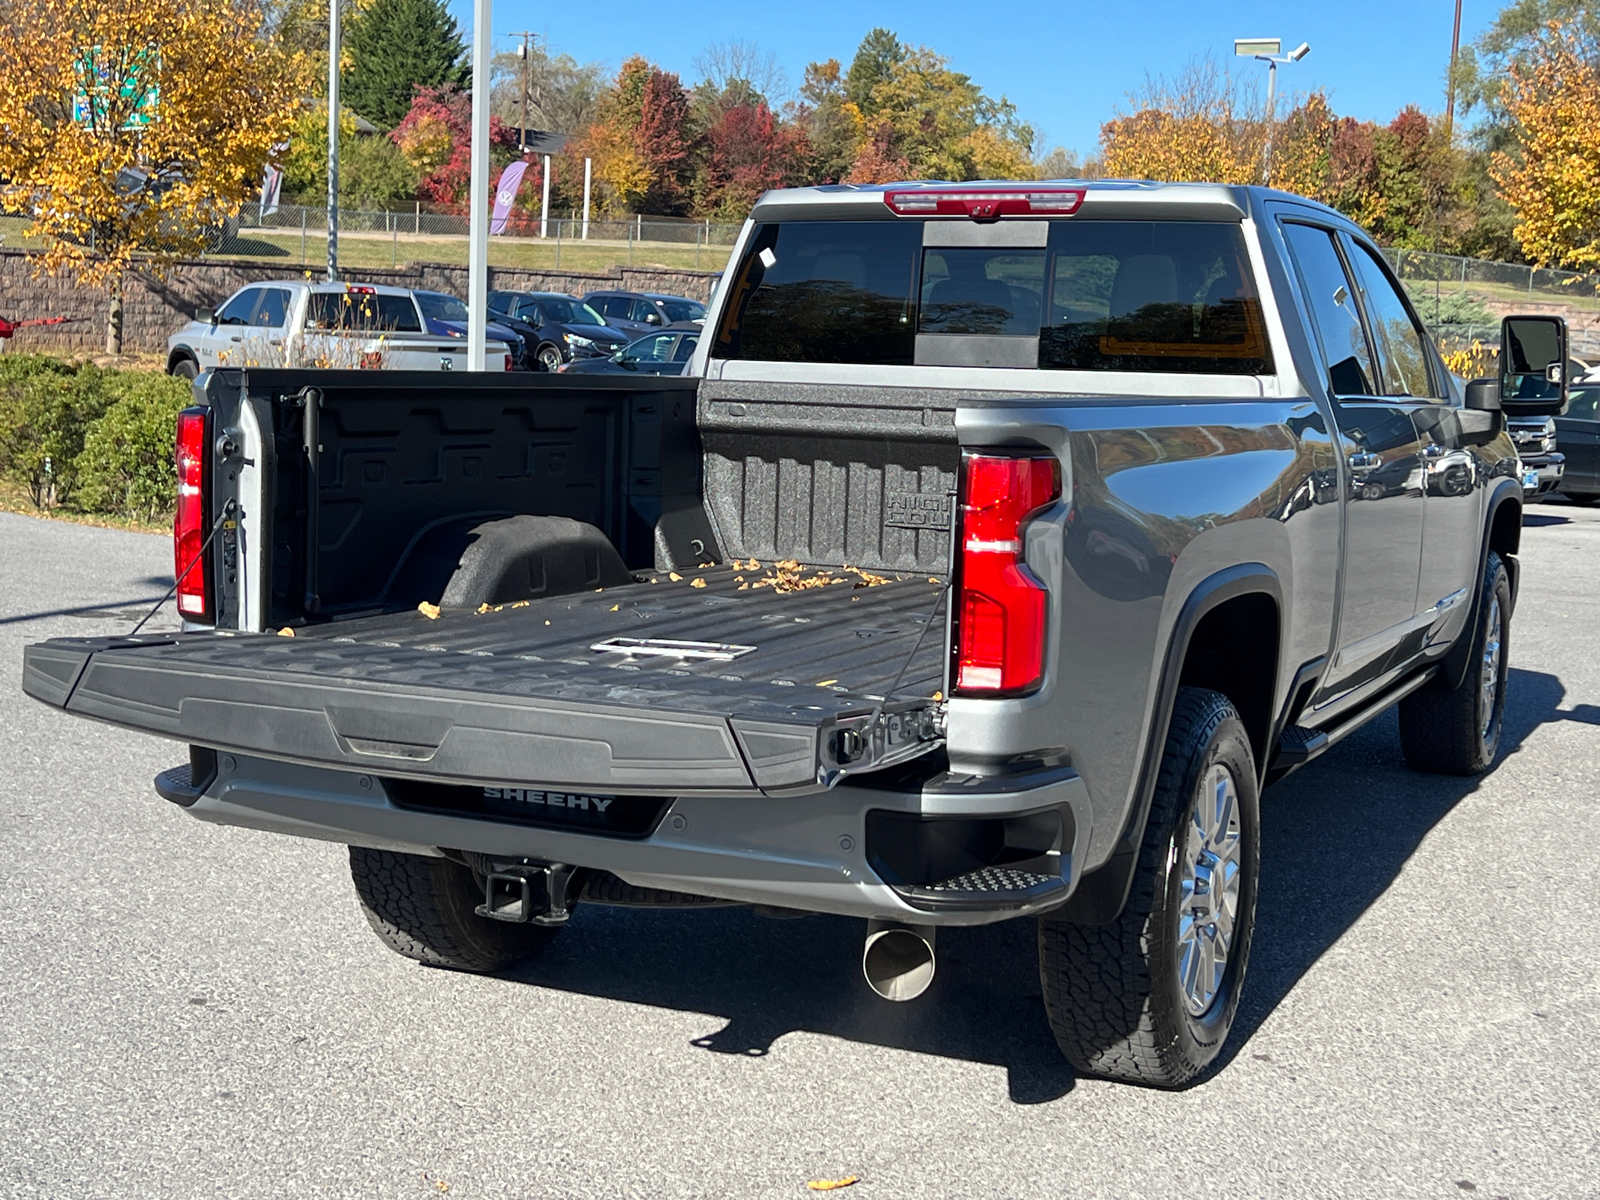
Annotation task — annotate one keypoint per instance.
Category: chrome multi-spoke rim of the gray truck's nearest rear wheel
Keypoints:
(1209, 908)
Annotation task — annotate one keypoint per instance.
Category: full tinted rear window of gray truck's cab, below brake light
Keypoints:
(1170, 297)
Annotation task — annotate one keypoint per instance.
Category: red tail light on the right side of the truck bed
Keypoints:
(1001, 606)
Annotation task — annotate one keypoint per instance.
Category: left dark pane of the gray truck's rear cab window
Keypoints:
(826, 292)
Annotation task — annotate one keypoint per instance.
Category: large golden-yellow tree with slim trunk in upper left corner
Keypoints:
(137, 126)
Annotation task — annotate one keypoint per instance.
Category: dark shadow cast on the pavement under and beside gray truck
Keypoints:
(767, 978)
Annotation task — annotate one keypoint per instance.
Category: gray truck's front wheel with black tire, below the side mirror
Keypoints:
(1458, 732)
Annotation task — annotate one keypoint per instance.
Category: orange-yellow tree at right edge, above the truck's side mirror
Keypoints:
(1553, 182)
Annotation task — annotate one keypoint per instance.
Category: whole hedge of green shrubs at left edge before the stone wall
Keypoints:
(89, 439)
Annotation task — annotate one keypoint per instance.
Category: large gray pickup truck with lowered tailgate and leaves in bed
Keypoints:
(1002, 543)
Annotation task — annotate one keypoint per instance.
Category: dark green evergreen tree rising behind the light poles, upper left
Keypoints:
(398, 47)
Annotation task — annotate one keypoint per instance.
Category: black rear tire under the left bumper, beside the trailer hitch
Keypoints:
(423, 908)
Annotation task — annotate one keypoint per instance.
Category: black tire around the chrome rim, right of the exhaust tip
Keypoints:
(1116, 993)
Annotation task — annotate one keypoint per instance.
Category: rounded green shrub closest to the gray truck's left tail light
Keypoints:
(127, 462)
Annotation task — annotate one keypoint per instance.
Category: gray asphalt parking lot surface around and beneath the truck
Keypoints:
(201, 1012)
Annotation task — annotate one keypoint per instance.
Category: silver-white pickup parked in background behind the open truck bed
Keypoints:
(335, 326)
